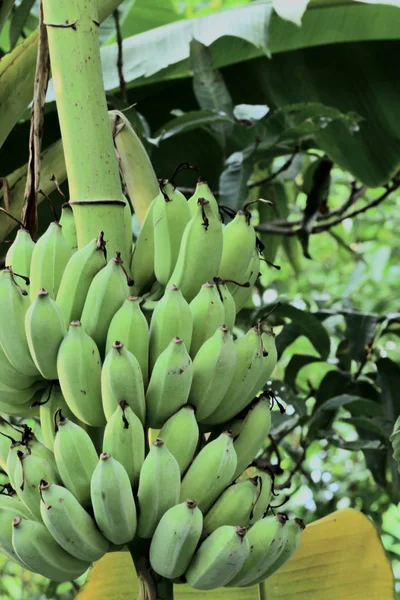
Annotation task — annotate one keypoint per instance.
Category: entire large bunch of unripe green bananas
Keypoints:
(149, 407)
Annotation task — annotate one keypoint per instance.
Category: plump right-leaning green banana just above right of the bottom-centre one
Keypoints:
(210, 472)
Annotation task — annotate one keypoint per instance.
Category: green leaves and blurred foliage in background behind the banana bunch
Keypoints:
(314, 129)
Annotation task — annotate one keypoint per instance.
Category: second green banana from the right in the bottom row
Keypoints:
(267, 539)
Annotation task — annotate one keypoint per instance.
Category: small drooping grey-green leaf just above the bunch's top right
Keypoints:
(233, 181)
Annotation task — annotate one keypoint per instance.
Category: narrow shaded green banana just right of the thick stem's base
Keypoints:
(142, 263)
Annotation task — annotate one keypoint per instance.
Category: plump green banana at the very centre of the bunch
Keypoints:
(169, 384)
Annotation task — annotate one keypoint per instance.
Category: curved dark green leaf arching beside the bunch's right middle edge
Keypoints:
(306, 324)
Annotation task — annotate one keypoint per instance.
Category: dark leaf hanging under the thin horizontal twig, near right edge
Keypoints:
(360, 332)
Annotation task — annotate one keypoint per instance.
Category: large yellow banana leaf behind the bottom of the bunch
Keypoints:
(340, 557)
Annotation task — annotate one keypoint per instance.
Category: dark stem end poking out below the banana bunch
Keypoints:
(150, 588)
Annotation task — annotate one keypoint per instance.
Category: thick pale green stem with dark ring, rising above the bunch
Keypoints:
(93, 177)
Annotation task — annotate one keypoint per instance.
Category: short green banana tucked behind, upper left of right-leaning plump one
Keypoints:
(181, 436)
